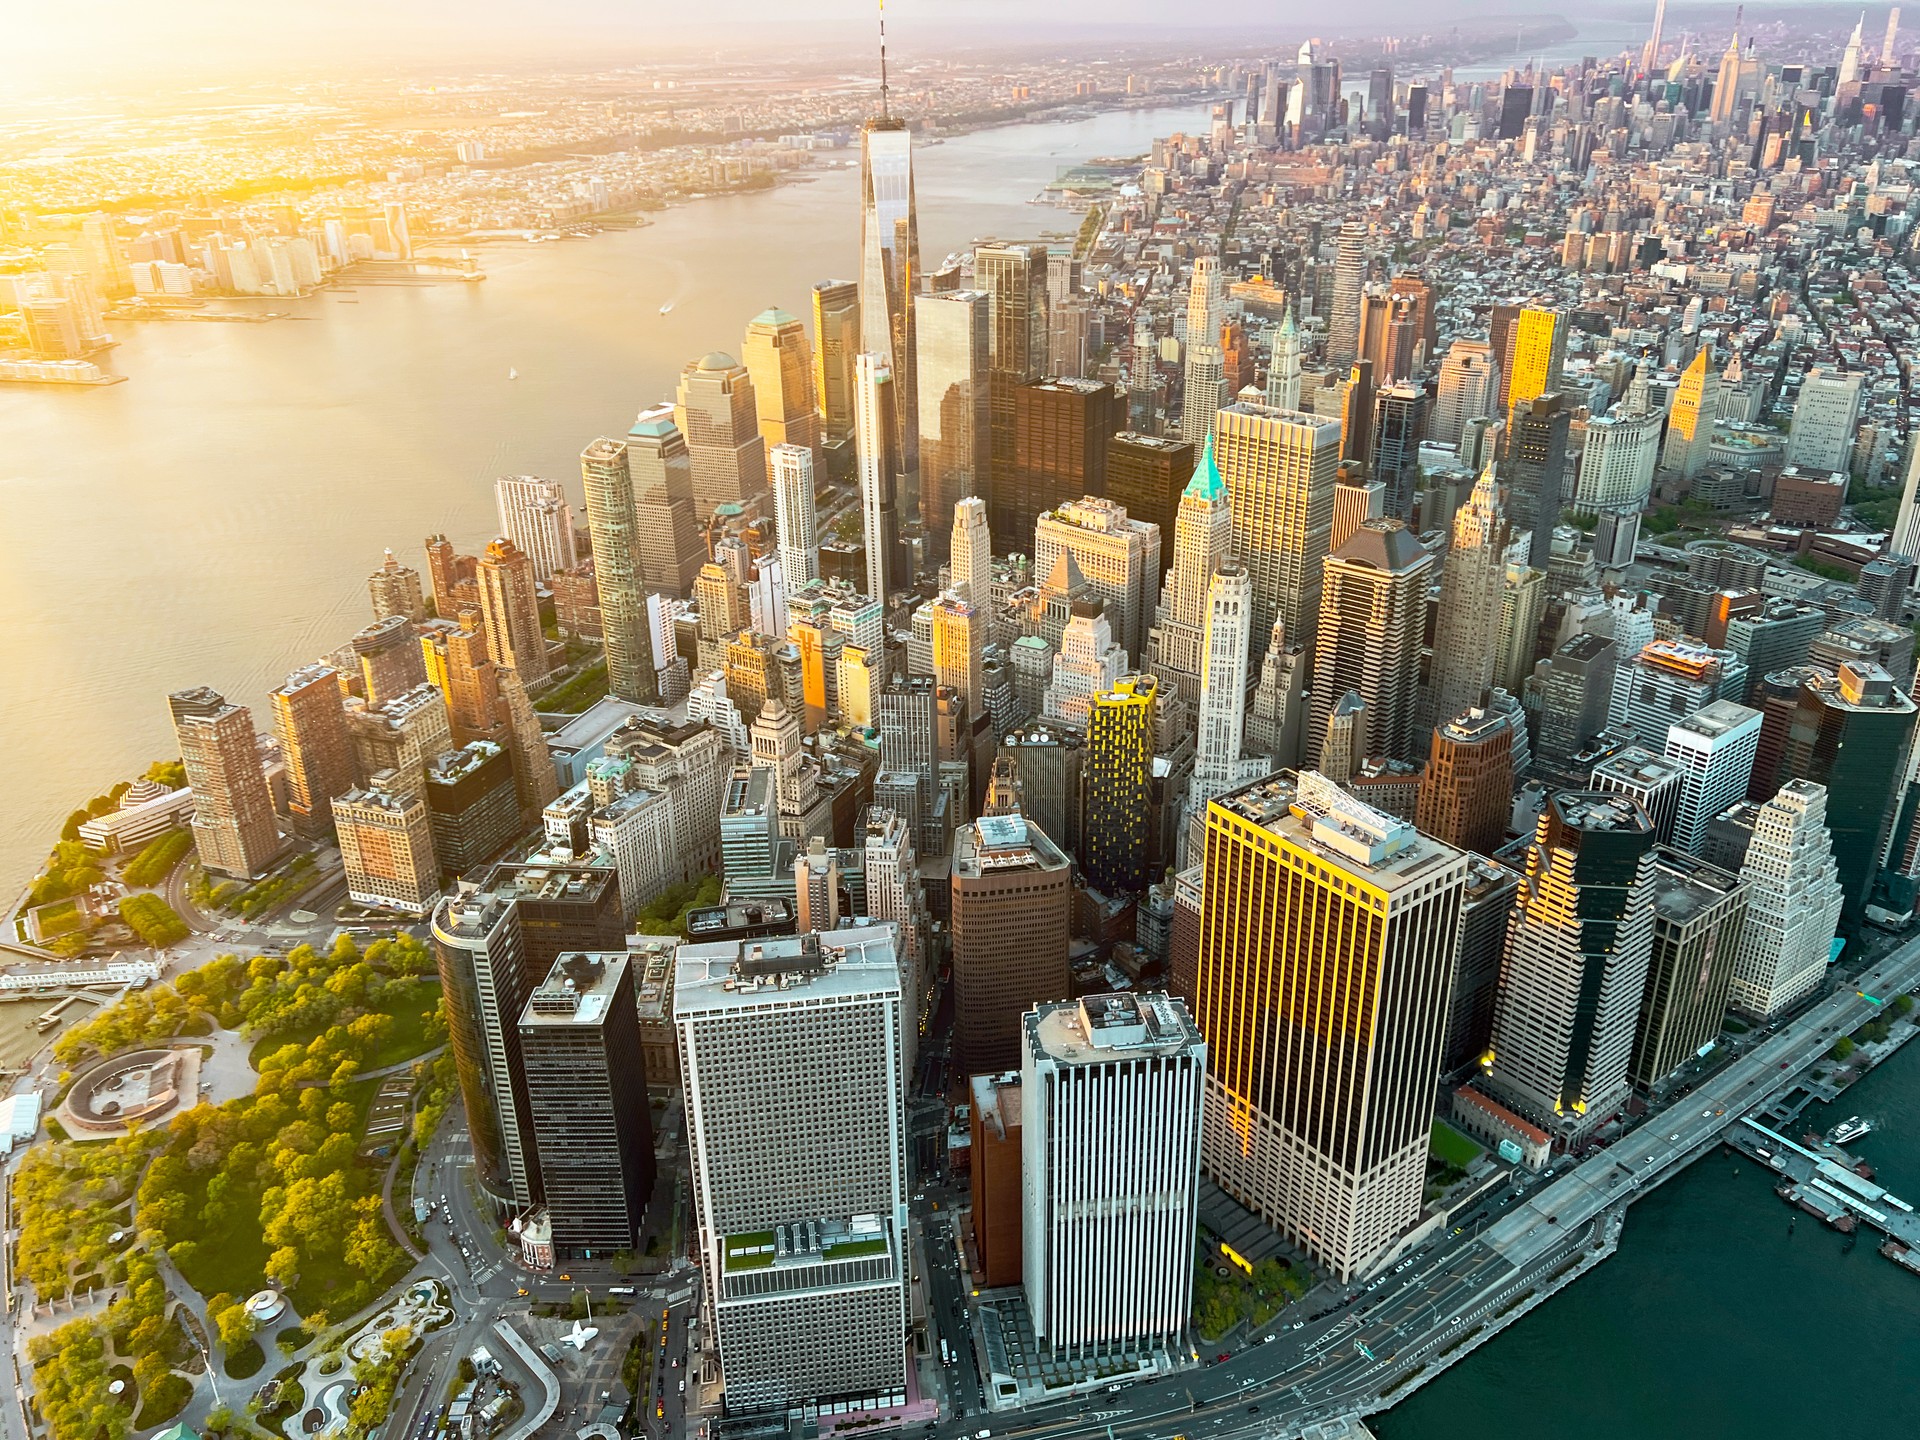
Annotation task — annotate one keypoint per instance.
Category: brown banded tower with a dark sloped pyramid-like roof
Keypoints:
(1374, 610)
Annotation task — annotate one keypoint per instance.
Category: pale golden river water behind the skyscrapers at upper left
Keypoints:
(214, 519)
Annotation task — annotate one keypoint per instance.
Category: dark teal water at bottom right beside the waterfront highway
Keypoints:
(1714, 1320)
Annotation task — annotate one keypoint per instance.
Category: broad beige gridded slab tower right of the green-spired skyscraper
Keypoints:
(1280, 469)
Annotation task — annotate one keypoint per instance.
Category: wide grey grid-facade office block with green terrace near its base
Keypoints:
(798, 1147)
